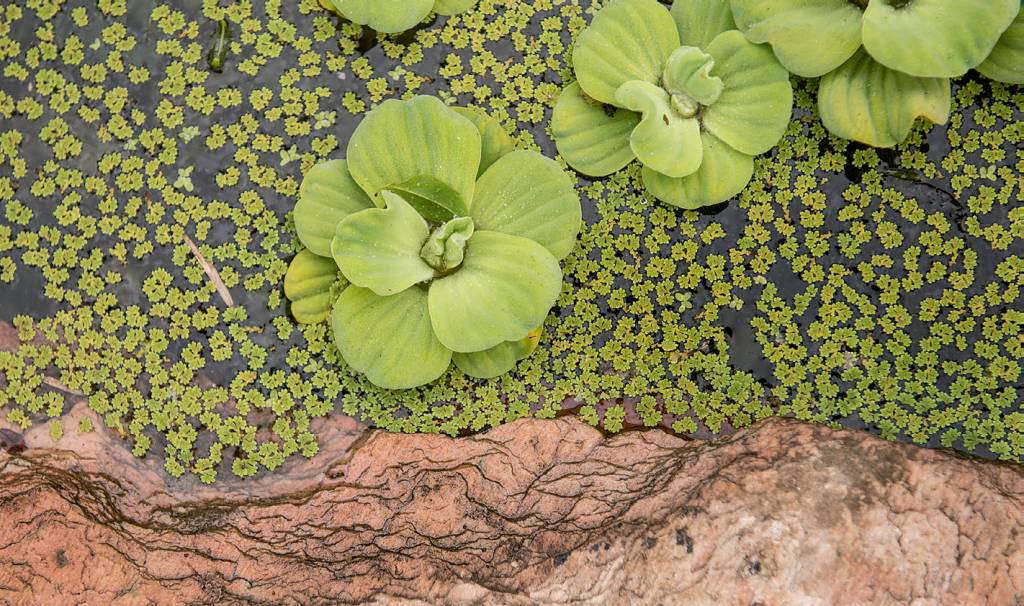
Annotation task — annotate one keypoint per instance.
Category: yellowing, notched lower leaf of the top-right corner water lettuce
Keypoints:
(866, 102)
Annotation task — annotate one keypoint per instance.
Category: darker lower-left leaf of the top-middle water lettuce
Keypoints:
(591, 141)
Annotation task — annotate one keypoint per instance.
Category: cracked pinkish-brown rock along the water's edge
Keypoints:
(536, 512)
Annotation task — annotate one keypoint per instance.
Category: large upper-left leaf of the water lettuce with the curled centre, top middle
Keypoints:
(628, 40)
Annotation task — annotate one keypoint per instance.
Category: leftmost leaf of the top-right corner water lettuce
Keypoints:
(809, 37)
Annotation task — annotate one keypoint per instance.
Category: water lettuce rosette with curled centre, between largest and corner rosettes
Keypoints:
(684, 93)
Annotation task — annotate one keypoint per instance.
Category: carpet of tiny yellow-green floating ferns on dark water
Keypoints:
(834, 289)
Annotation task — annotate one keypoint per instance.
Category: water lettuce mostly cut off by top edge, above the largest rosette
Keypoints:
(394, 17)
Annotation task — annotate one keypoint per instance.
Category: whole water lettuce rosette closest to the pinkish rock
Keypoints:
(449, 241)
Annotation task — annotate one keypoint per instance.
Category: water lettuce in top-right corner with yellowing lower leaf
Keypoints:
(884, 63)
